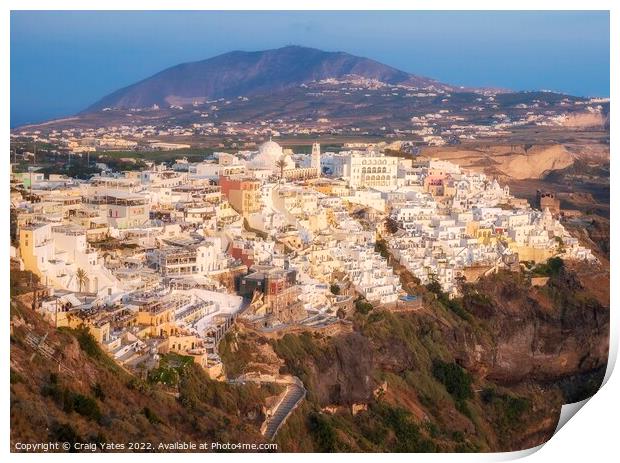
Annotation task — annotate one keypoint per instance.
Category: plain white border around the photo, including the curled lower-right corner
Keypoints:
(591, 436)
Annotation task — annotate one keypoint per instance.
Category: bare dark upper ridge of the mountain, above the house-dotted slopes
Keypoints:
(241, 73)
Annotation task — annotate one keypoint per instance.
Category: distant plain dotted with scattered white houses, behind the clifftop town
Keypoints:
(441, 117)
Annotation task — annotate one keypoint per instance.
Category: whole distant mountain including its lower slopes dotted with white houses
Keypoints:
(327, 92)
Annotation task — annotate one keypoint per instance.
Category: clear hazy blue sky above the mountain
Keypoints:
(63, 61)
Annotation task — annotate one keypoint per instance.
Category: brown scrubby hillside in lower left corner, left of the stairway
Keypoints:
(91, 399)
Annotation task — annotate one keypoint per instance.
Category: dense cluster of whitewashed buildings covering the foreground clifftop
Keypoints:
(166, 259)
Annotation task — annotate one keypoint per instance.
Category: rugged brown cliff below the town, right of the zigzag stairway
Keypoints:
(488, 372)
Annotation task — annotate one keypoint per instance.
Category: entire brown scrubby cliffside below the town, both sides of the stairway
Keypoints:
(486, 372)
